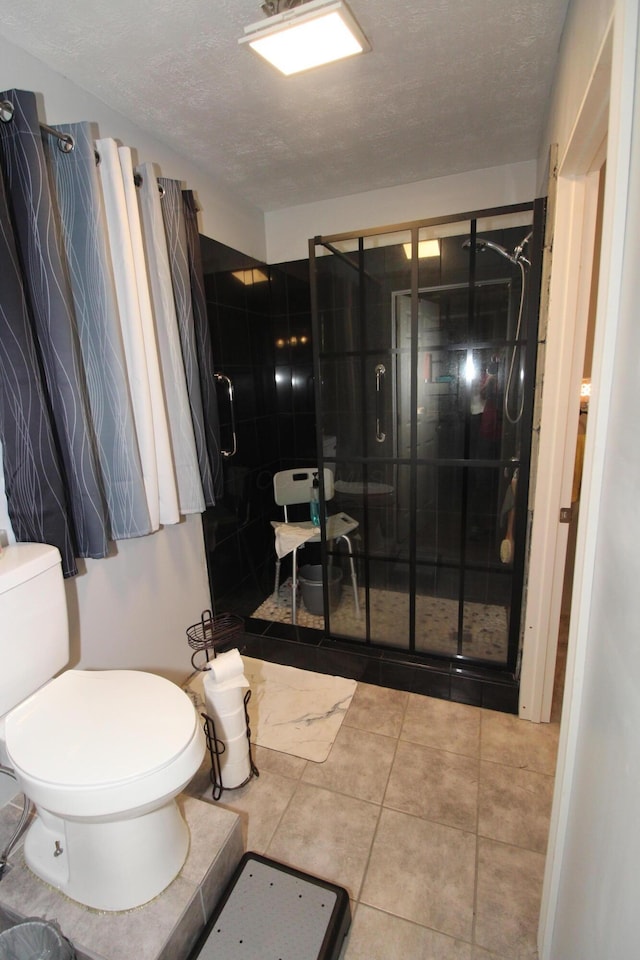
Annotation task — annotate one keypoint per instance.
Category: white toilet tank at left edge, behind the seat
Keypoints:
(34, 634)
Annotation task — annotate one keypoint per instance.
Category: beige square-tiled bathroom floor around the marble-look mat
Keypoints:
(433, 815)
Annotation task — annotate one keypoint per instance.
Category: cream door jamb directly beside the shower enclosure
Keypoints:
(573, 244)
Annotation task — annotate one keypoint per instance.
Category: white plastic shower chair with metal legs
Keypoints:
(292, 487)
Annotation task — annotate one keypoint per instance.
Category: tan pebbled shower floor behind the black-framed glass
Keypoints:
(485, 633)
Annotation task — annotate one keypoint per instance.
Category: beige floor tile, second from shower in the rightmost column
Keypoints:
(515, 805)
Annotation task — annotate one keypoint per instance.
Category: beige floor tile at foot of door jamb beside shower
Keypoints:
(518, 743)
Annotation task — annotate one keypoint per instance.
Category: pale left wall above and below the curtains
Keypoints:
(132, 609)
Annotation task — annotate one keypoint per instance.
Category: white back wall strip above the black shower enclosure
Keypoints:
(289, 230)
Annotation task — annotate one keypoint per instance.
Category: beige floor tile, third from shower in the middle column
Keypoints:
(424, 872)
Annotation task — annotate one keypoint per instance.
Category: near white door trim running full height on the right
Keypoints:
(616, 101)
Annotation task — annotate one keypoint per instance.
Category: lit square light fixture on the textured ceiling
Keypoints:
(305, 35)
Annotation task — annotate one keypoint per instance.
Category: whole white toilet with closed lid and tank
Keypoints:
(102, 754)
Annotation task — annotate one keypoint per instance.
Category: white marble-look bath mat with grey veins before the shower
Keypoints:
(290, 710)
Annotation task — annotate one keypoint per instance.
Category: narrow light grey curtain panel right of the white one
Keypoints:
(185, 457)
